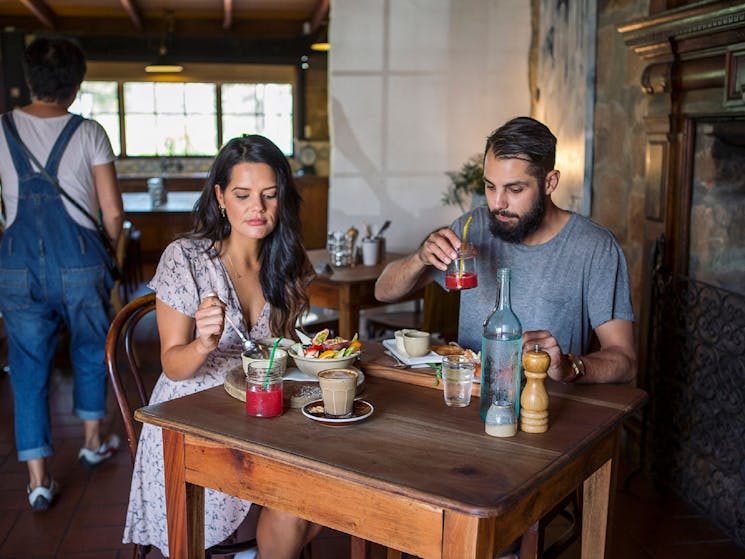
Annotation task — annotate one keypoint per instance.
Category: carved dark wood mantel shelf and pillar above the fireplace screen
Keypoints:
(695, 68)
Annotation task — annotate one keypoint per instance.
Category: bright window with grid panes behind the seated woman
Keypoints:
(181, 119)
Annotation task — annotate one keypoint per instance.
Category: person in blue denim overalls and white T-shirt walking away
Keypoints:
(52, 262)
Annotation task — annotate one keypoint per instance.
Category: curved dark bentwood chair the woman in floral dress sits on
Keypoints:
(122, 333)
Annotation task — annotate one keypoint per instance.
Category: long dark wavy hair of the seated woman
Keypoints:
(285, 268)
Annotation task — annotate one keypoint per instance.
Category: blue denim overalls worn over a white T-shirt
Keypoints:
(52, 271)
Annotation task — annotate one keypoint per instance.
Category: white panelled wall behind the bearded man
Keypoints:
(415, 87)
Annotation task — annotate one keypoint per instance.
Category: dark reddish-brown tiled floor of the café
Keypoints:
(87, 520)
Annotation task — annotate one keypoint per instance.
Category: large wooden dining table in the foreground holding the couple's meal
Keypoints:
(415, 476)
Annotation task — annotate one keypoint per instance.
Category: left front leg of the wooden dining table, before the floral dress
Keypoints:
(184, 502)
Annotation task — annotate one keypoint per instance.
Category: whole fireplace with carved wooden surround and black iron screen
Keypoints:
(693, 72)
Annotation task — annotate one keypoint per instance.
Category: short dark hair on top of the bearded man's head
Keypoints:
(527, 139)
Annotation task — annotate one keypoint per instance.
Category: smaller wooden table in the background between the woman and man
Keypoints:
(349, 289)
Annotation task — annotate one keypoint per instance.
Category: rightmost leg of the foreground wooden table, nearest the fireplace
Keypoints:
(595, 512)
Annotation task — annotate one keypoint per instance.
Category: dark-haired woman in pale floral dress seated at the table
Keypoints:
(244, 258)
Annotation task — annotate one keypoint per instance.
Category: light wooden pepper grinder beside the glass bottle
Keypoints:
(534, 399)
